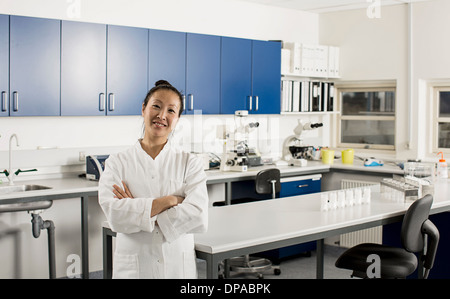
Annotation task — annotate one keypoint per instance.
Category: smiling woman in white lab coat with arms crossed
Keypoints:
(154, 196)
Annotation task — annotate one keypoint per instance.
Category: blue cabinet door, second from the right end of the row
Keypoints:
(236, 74)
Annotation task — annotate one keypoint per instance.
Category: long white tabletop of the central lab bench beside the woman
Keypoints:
(239, 226)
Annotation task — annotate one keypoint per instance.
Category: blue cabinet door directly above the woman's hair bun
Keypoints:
(167, 58)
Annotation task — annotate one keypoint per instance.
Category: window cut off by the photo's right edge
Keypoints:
(442, 119)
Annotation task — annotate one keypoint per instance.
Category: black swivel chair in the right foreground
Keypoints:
(398, 262)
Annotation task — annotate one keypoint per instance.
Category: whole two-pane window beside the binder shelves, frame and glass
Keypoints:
(367, 118)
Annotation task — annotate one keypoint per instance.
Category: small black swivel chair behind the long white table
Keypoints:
(267, 181)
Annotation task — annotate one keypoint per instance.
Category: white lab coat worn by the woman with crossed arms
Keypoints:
(161, 246)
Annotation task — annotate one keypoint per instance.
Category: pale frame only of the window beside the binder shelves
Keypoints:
(365, 87)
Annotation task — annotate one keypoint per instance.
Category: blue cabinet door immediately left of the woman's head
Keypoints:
(127, 70)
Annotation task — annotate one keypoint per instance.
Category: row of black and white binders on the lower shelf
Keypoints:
(307, 96)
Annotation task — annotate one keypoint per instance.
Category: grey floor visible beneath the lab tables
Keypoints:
(300, 267)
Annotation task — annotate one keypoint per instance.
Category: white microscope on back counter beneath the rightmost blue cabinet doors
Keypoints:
(237, 156)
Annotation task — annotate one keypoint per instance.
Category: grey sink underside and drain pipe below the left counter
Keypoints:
(38, 224)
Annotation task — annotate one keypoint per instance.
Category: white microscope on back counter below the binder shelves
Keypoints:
(294, 152)
